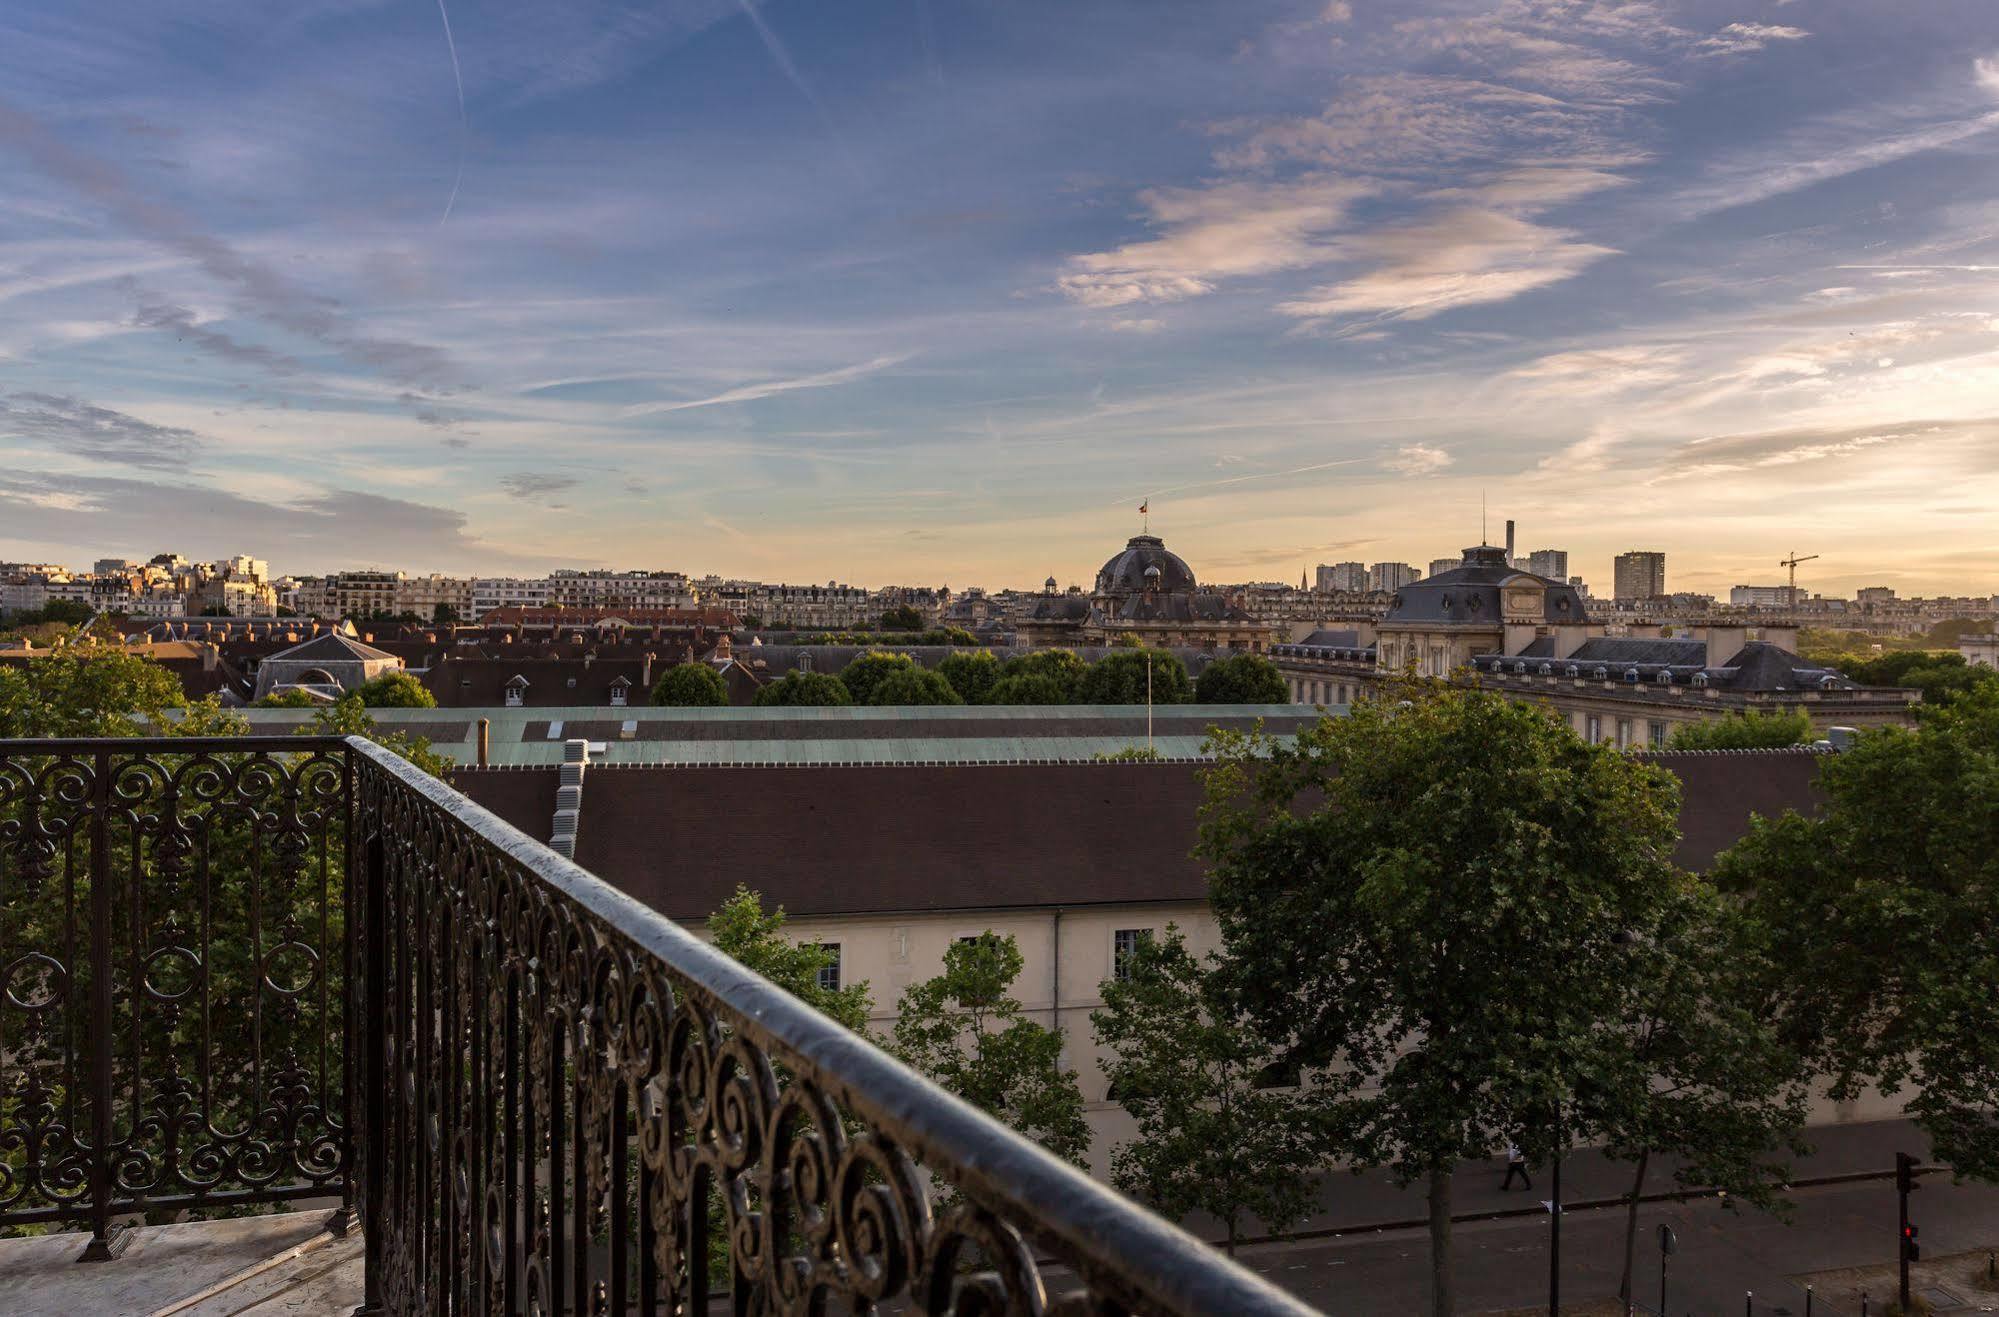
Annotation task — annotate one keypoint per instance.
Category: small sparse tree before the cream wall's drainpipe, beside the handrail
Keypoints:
(971, 1036)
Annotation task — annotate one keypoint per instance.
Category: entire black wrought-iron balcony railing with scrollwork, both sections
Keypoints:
(249, 972)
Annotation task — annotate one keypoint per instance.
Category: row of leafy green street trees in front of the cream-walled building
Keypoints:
(1448, 924)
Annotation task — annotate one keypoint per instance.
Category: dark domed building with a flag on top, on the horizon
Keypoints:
(1150, 593)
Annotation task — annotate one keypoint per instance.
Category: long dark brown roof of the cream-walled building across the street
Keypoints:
(851, 840)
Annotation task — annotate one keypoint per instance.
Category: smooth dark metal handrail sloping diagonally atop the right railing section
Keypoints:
(1120, 1250)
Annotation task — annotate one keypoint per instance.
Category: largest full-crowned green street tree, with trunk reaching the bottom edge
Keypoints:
(1434, 904)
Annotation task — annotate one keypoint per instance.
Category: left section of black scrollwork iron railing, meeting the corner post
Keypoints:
(173, 978)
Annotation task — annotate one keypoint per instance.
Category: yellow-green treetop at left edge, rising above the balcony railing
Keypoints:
(85, 690)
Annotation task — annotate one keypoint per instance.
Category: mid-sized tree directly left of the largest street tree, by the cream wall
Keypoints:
(1222, 1124)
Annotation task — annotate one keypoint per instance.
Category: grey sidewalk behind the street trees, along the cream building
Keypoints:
(1372, 1200)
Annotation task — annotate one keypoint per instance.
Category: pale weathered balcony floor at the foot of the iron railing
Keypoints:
(241, 1268)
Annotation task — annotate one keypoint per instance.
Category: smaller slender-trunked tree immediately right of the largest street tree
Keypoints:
(1706, 1074)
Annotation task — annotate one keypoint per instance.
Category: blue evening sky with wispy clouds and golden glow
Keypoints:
(943, 291)
